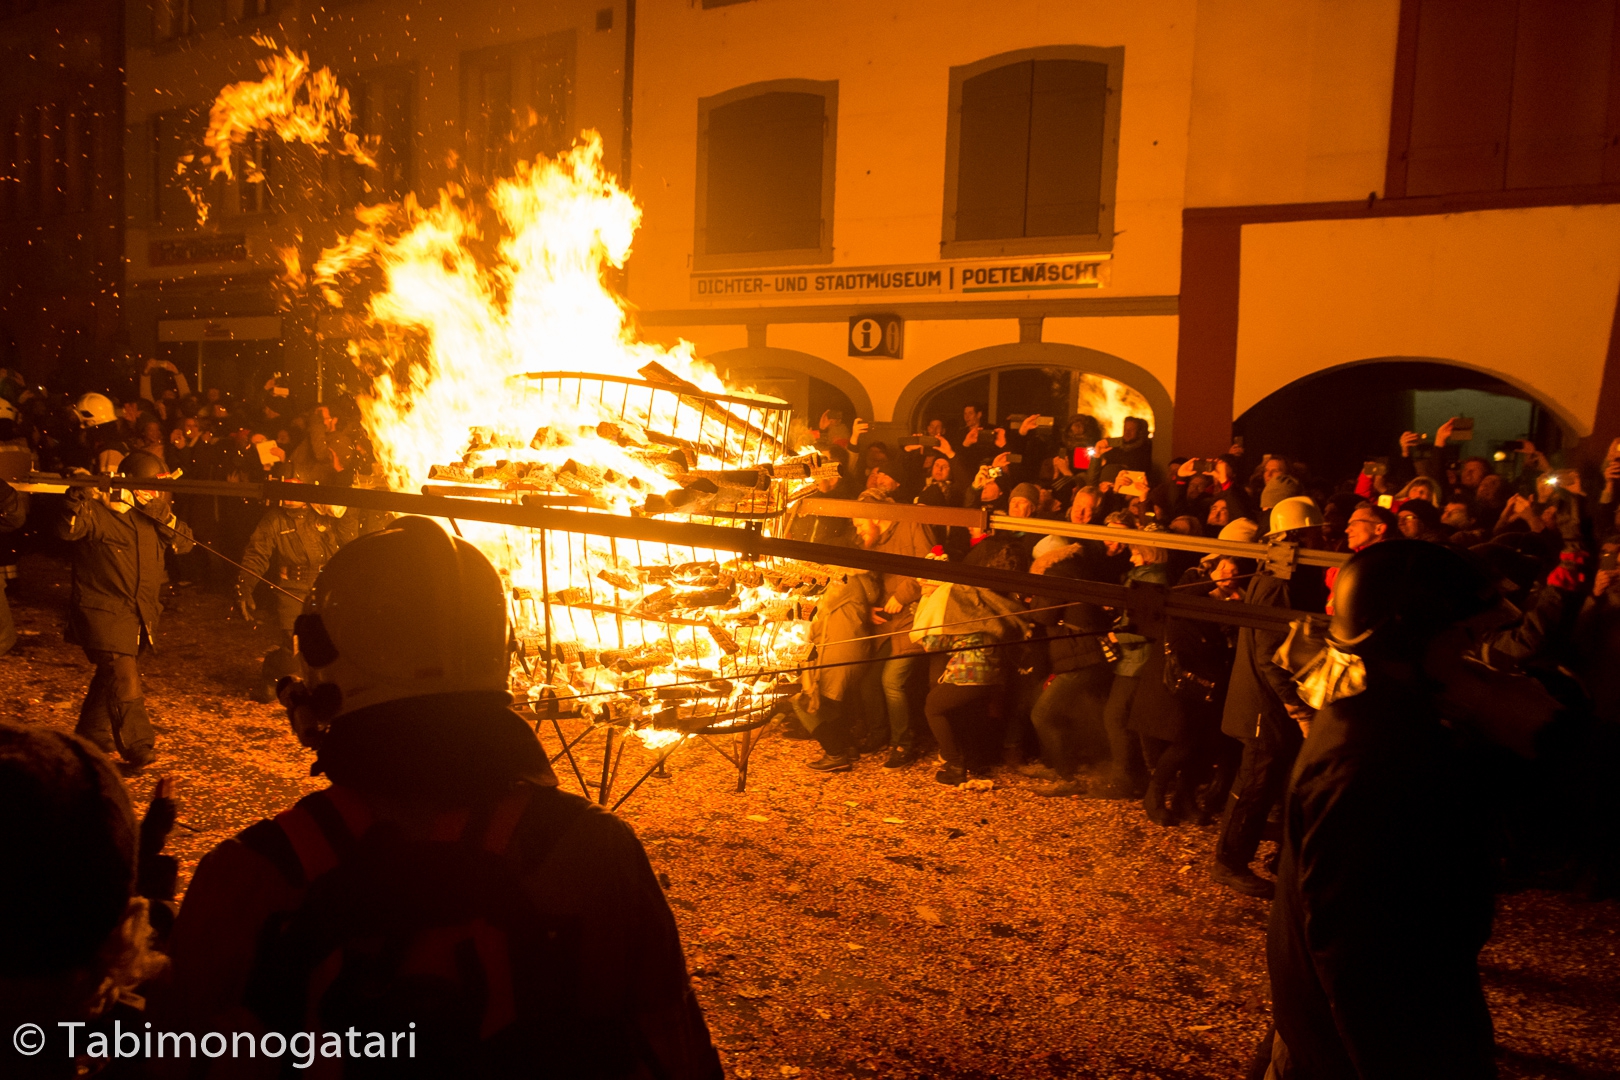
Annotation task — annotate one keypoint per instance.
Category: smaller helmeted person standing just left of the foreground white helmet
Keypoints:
(289, 546)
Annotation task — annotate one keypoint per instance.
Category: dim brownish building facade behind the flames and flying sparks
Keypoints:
(448, 91)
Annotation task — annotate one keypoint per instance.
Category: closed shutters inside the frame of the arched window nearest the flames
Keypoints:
(764, 174)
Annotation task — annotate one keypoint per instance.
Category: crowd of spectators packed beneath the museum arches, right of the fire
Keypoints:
(1196, 720)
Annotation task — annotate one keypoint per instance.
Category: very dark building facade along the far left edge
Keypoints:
(61, 187)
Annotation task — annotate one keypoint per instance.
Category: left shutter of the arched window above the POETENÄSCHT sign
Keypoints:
(992, 176)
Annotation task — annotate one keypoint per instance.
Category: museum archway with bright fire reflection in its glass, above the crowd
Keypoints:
(1046, 378)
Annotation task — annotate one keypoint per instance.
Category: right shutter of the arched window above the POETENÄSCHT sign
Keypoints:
(1068, 104)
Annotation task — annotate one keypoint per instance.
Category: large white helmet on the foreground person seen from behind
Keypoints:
(403, 613)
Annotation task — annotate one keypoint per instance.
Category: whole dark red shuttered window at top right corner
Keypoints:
(1499, 95)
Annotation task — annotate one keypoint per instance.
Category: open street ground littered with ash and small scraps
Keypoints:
(874, 924)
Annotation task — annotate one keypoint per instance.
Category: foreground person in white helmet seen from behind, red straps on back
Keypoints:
(441, 885)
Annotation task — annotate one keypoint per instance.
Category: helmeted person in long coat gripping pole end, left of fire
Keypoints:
(113, 613)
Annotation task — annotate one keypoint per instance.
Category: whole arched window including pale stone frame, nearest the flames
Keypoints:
(765, 176)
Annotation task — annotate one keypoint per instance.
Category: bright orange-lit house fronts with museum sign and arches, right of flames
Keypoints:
(1269, 193)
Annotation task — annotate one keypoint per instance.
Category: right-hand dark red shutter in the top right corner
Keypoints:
(1561, 93)
